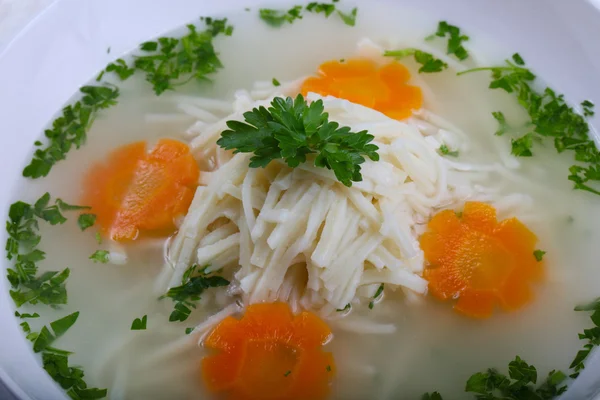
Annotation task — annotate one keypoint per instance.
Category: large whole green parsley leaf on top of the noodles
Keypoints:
(291, 130)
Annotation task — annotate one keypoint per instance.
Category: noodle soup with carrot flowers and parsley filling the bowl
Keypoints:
(418, 232)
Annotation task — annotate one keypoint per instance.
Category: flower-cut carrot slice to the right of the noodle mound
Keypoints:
(480, 261)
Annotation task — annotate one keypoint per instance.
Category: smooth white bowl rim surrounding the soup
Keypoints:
(66, 46)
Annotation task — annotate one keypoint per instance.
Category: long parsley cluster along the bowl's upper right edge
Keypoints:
(550, 118)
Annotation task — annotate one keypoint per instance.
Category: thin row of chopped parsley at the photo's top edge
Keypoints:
(277, 18)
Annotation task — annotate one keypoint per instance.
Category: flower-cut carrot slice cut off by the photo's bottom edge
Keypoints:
(269, 354)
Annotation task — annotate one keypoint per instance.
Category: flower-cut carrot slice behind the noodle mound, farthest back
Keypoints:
(363, 82)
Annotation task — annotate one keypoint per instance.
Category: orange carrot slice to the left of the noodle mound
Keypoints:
(135, 191)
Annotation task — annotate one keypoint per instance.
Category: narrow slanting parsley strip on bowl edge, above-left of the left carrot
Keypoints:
(70, 129)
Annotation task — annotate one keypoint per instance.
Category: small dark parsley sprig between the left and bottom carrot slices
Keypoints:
(193, 284)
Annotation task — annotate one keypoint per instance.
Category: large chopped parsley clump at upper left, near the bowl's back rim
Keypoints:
(175, 61)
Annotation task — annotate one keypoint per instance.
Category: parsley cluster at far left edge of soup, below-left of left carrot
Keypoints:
(22, 247)
